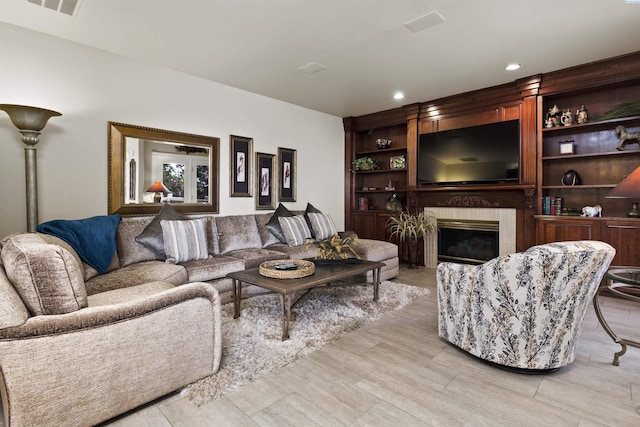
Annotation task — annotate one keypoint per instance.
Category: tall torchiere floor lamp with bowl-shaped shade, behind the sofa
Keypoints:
(30, 121)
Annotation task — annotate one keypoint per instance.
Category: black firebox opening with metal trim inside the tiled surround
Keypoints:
(468, 241)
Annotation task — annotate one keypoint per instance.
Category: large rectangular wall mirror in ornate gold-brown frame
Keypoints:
(149, 167)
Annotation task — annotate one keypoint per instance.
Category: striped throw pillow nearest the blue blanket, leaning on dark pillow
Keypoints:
(185, 240)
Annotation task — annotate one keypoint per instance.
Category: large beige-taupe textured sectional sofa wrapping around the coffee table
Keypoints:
(78, 347)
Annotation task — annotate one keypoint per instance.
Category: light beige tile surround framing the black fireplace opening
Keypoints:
(506, 219)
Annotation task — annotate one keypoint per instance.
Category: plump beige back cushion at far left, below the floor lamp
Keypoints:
(46, 276)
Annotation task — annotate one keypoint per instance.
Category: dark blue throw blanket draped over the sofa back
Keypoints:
(94, 239)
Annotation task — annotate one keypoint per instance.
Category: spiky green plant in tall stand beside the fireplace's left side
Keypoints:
(412, 229)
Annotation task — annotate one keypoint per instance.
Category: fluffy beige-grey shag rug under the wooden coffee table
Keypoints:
(252, 345)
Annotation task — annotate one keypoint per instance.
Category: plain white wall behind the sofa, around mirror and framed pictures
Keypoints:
(91, 87)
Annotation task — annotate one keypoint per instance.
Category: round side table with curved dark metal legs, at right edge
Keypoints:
(623, 282)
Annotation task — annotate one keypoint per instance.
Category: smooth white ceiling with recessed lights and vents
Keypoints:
(368, 52)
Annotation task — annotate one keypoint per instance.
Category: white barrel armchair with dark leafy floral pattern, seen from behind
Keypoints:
(522, 310)
